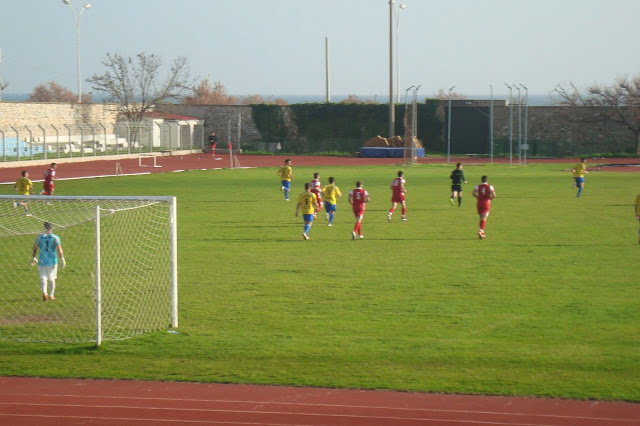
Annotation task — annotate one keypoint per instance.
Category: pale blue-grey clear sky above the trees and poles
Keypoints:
(277, 47)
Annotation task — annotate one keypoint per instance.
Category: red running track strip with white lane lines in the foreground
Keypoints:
(38, 401)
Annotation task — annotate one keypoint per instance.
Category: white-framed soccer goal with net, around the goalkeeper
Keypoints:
(121, 275)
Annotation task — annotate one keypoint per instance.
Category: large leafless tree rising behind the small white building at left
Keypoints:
(134, 83)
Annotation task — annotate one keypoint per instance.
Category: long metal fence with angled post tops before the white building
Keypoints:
(38, 142)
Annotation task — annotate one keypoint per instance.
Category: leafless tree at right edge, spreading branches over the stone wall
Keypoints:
(618, 103)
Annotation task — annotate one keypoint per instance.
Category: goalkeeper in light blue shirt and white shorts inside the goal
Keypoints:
(50, 247)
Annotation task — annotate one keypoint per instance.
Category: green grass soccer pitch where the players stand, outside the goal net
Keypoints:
(547, 305)
